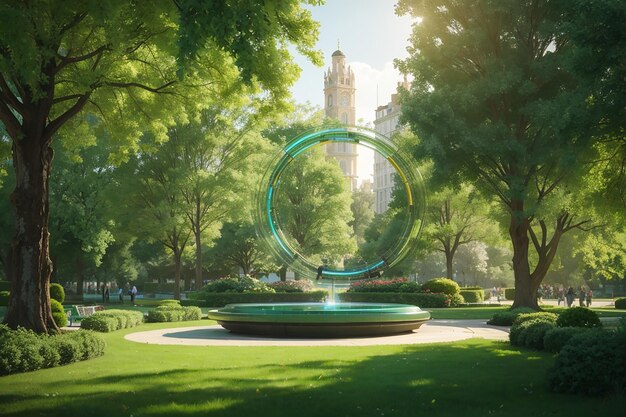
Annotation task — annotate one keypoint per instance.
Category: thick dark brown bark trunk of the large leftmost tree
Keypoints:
(30, 264)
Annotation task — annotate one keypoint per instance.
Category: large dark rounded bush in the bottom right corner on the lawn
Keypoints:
(591, 363)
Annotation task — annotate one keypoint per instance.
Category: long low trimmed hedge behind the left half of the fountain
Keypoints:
(221, 299)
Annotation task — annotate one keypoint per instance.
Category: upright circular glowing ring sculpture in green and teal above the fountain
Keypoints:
(268, 226)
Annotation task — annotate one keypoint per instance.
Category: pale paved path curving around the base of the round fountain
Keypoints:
(431, 332)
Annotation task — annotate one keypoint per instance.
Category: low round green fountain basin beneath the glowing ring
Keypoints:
(317, 320)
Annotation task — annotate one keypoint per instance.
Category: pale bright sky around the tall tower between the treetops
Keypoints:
(371, 36)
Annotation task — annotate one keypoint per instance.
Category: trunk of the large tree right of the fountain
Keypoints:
(525, 288)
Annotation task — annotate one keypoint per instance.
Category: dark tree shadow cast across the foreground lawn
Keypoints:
(473, 378)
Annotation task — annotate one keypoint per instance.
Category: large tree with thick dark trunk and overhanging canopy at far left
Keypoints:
(122, 63)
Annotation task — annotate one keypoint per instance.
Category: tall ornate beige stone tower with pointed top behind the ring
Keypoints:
(339, 92)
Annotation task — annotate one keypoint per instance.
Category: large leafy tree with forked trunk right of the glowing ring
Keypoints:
(493, 101)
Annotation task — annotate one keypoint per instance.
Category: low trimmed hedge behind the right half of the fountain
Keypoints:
(424, 300)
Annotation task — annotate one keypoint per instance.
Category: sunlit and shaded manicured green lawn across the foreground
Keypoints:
(470, 378)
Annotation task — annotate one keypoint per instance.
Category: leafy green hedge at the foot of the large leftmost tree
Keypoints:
(23, 350)
